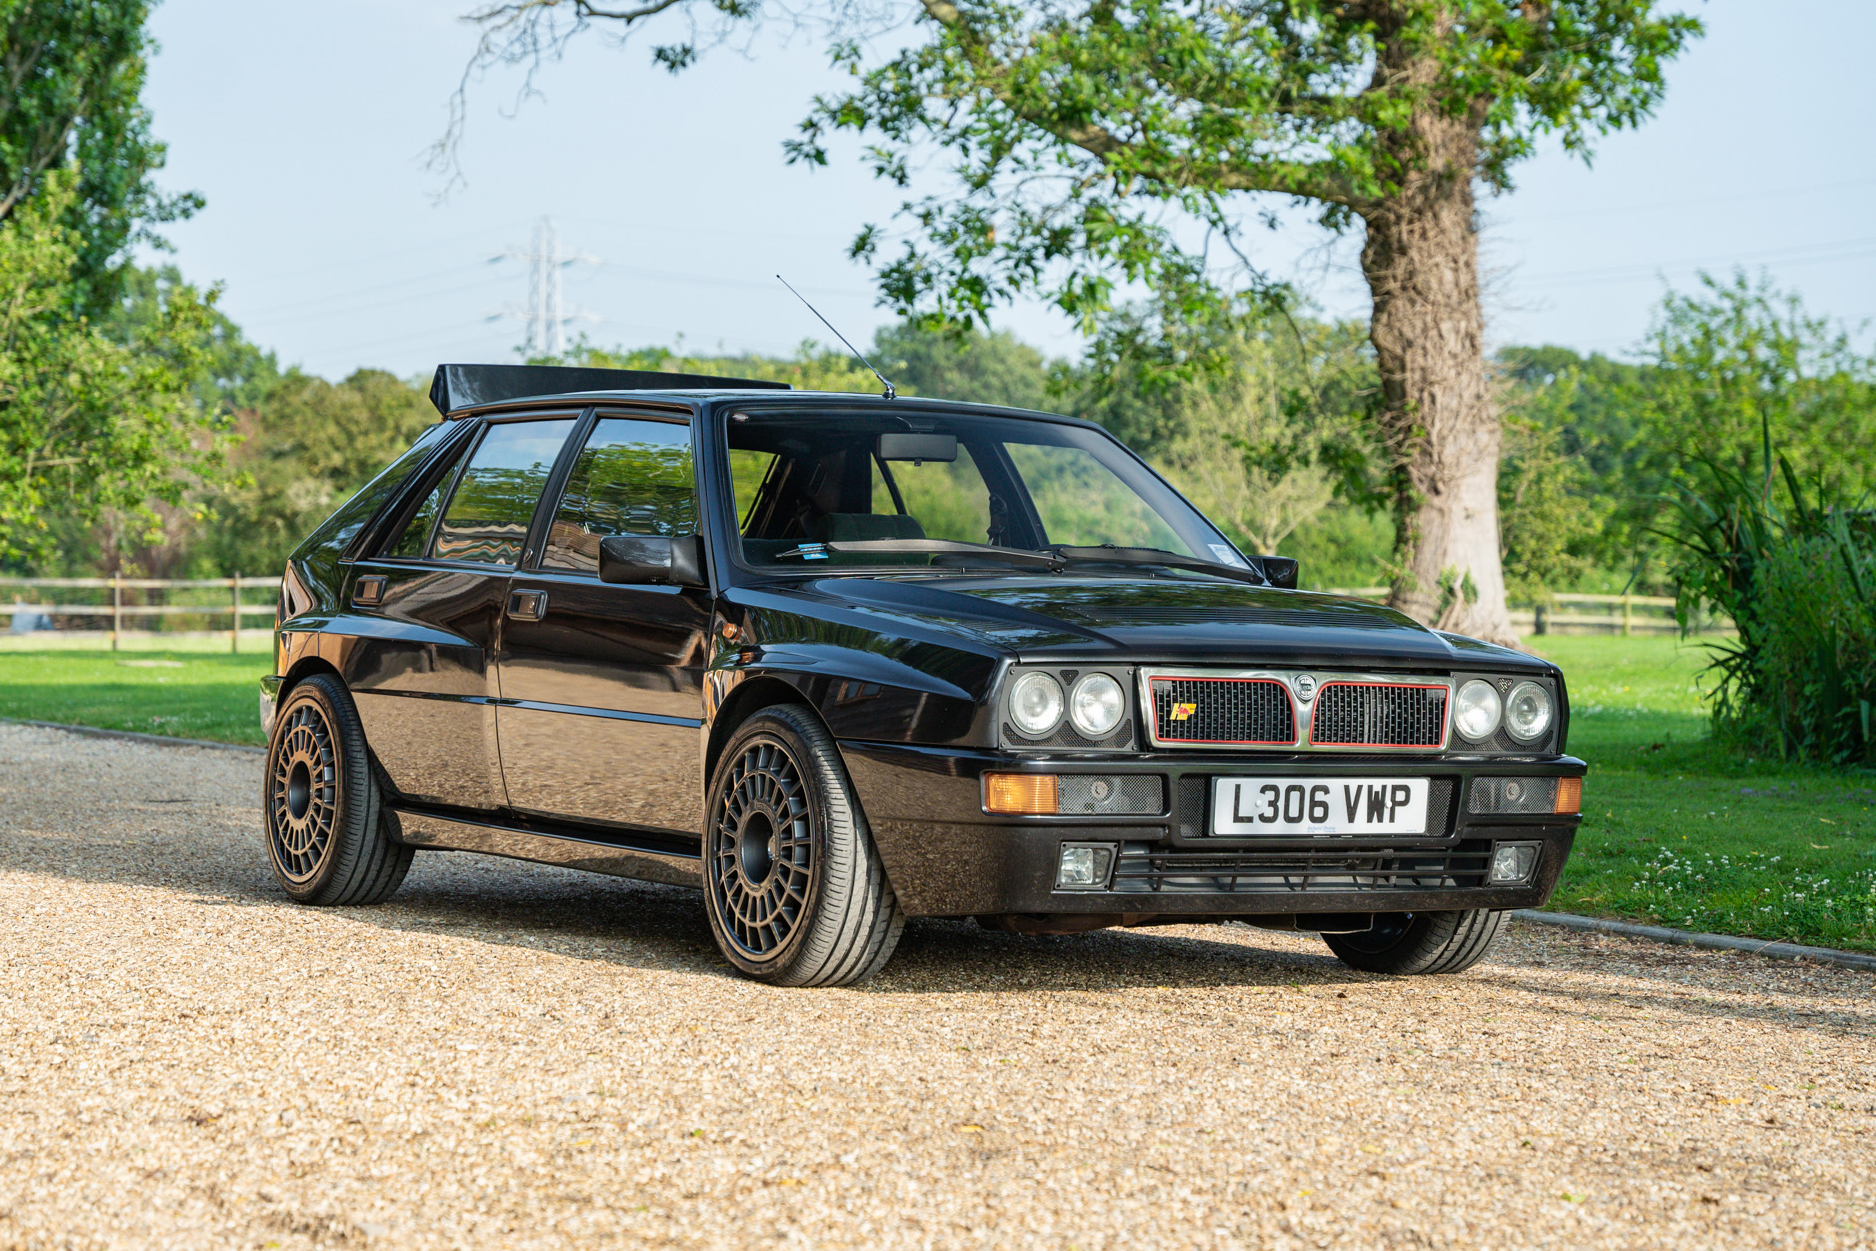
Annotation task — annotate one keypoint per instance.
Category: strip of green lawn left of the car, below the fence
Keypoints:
(187, 695)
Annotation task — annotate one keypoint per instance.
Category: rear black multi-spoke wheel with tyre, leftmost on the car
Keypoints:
(329, 834)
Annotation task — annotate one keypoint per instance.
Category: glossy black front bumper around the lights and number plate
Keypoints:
(946, 856)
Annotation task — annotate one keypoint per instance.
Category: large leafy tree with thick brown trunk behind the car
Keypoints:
(1123, 142)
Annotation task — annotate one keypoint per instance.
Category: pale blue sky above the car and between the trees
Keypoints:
(305, 128)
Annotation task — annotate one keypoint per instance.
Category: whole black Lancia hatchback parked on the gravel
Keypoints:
(843, 661)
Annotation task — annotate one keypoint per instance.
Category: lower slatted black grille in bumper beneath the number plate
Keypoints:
(1143, 871)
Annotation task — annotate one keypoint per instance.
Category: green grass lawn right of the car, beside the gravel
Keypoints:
(1682, 832)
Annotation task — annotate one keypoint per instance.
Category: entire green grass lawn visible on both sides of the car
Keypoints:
(1676, 830)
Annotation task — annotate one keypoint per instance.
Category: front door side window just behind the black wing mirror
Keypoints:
(633, 477)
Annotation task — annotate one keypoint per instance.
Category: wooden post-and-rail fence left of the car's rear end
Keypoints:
(130, 601)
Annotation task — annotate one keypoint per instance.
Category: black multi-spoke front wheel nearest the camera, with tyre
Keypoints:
(793, 884)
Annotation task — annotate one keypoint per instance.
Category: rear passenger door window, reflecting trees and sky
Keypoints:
(487, 519)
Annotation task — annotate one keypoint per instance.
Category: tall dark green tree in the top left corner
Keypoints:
(70, 91)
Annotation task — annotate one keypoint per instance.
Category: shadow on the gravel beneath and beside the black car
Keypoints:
(643, 926)
